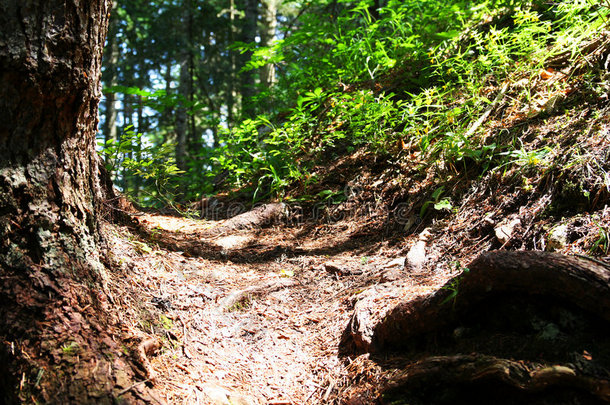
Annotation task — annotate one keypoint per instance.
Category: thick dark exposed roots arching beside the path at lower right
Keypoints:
(549, 310)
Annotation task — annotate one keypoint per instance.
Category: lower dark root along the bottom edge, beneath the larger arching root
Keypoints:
(487, 379)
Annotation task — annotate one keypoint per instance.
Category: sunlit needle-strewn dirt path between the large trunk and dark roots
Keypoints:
(250, 316)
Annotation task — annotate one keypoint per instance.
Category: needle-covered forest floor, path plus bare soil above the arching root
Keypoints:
(222, 315)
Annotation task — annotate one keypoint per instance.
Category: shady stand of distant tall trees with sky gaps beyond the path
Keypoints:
(179, 81)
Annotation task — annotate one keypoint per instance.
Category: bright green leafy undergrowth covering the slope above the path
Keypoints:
(421, 81)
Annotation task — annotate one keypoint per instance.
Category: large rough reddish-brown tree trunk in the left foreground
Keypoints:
(52, 301)
